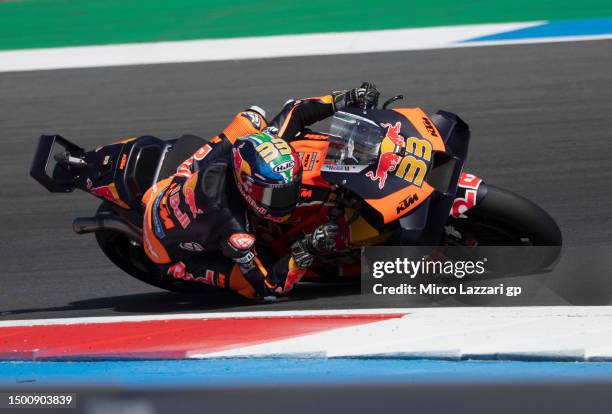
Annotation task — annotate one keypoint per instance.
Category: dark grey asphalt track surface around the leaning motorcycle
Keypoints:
(541, 119)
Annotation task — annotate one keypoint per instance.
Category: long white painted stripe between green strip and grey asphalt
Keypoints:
(250, 47)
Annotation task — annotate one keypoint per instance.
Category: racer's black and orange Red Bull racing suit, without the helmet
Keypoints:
(196, 225)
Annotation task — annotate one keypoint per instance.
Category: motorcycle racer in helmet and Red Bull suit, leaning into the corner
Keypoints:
(196, 225)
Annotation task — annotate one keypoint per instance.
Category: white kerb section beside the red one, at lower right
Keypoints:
(564, 332)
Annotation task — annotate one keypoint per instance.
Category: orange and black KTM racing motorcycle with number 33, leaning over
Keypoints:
(386, 176)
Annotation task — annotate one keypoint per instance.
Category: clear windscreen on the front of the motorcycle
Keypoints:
(354, 140)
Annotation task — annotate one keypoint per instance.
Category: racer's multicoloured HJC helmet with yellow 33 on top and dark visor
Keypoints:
(268, 175)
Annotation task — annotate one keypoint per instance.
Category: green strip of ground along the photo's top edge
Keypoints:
(53, 23)
